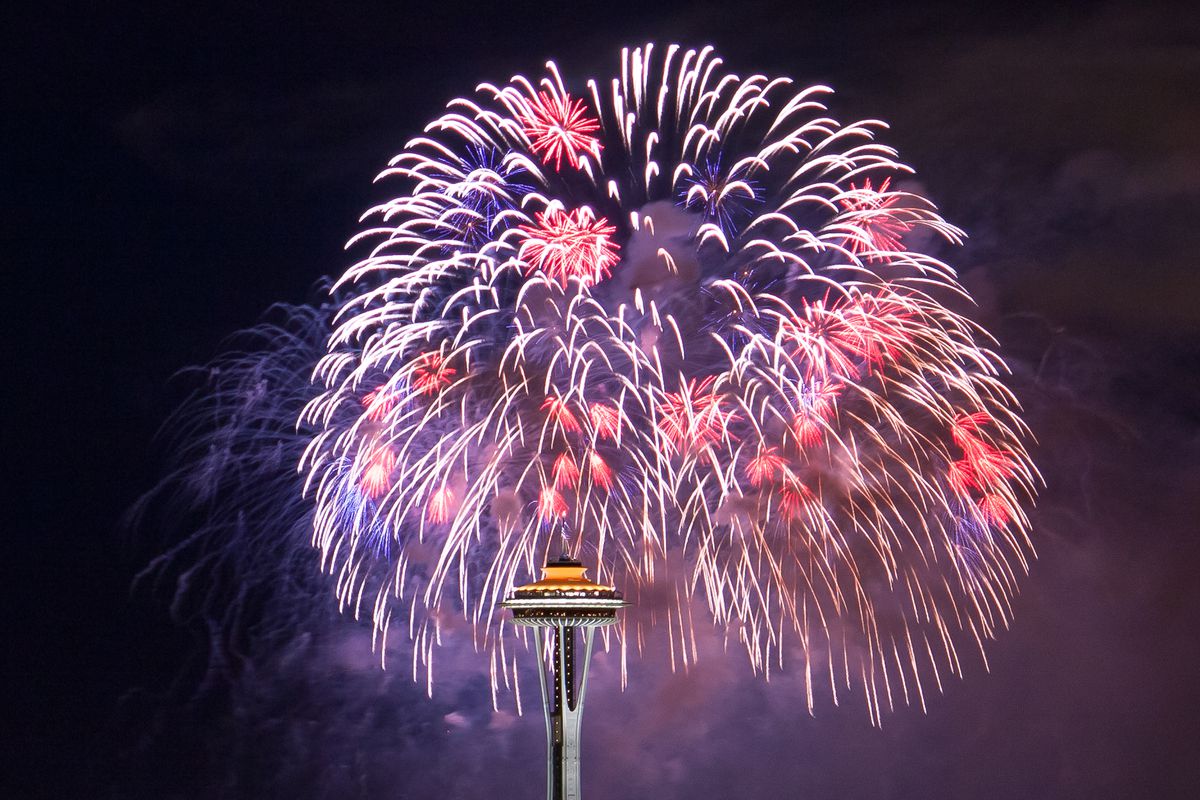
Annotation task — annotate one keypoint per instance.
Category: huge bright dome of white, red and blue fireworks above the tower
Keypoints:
(671, 323)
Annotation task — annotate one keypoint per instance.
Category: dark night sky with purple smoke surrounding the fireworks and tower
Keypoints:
(172, 170)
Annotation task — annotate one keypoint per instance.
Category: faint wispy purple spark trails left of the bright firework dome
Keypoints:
(231, 507)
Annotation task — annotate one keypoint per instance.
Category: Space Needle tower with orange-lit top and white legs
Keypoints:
(565, 600)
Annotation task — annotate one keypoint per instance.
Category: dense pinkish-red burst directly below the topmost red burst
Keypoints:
(571, 245)
